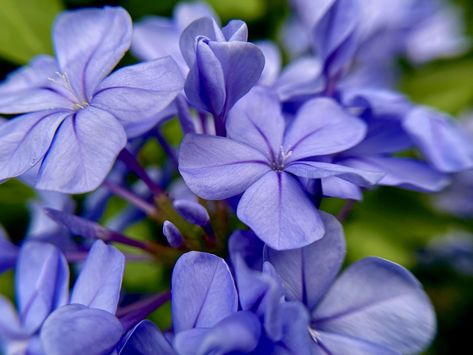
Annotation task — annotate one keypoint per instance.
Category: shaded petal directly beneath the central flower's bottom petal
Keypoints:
(308, 272)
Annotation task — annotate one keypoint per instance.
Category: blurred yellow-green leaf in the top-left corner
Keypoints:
(25, 28)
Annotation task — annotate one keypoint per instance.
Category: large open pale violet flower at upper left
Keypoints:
(71, 105)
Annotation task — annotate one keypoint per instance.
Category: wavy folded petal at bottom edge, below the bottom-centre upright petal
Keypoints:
(238, 333)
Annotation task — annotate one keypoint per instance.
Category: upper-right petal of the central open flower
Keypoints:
(322, 127)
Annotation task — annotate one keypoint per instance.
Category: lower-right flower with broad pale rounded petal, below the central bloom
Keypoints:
(348, 314)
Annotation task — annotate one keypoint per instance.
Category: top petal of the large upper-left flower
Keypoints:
(89, 43)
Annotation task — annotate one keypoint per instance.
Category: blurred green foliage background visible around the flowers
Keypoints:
(390, 223)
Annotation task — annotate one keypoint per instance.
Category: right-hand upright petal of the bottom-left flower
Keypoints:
(99, 282)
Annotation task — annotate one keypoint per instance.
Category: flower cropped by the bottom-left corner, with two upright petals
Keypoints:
(51, 322)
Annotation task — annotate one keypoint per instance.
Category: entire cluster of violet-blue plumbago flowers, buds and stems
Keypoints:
(255, 262)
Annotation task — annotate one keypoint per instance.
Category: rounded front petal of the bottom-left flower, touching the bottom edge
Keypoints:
(76, 330)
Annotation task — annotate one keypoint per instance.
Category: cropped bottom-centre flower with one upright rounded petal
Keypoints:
(205, 313)
